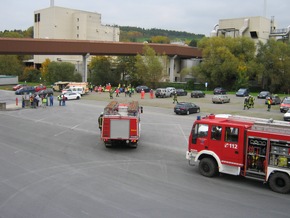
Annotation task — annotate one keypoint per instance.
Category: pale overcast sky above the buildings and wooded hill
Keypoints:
(194, 16)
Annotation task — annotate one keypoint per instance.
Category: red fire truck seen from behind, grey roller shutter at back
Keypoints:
(121, 123)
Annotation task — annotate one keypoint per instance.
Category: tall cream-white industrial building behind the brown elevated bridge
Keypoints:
(64, 23)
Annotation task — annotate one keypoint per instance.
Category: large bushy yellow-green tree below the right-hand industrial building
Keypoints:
(227, 61)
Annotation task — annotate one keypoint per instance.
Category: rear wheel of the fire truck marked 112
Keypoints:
(280, 182)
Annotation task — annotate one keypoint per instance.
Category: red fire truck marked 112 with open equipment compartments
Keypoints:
(251, 147)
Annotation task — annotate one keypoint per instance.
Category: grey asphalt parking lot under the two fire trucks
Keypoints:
(53, 164)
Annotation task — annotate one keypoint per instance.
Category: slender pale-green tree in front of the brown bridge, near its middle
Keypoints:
(149, 67)
